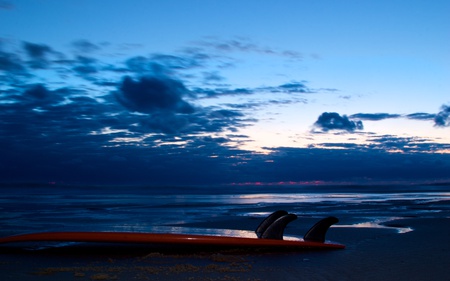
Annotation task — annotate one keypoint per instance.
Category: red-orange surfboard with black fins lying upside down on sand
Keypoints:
(269, 235)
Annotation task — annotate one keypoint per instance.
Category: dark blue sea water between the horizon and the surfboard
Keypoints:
(222, 210)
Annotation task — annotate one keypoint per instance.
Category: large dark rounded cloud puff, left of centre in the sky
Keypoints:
(152, 94)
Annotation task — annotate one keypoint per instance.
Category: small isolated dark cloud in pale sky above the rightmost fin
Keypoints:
(333, 121)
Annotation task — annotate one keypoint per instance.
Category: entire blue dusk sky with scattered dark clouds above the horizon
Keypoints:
(203, 92)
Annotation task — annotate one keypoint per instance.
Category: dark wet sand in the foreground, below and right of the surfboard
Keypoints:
(371, 254)
